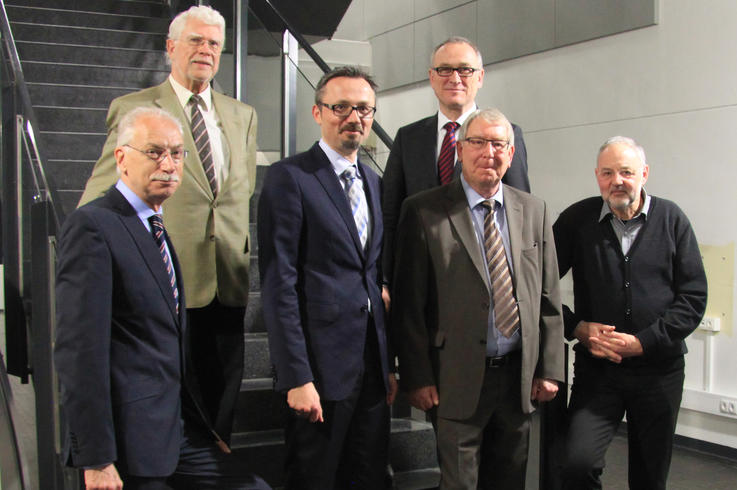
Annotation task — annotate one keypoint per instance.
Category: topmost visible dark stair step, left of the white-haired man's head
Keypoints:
(103, 20)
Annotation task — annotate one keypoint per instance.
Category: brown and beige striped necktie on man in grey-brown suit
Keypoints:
(506, 313)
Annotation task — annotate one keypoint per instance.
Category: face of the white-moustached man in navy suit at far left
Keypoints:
(152, 181)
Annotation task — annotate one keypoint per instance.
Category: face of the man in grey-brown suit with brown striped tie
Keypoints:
(484, 168)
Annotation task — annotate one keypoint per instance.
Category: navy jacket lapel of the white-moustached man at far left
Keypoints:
(146, 247)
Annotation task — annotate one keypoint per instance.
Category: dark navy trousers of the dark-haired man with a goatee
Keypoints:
(350, 449)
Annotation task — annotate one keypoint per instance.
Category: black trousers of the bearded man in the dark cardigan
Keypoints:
(602, 393)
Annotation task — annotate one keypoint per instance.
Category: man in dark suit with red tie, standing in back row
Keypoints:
(456, 73)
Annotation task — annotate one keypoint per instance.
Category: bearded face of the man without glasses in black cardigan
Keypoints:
(621, 173)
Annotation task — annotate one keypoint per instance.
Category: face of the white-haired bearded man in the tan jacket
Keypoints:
(195, 56)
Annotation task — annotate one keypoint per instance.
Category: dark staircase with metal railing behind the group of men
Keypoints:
(78, 55)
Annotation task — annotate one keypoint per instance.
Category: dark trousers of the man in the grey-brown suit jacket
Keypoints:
(488, 450)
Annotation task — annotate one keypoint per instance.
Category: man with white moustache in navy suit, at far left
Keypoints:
(133, 415)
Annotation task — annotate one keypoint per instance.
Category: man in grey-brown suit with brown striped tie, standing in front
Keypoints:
(476, 314)
